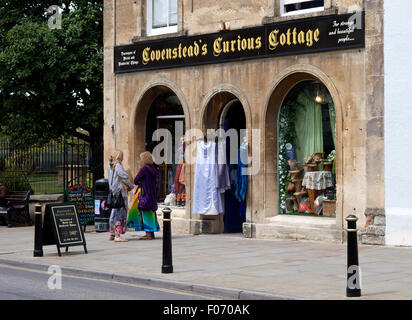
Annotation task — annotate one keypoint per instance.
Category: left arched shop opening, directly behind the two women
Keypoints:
(159, 127)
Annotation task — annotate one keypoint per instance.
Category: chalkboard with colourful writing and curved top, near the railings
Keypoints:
(82, 196)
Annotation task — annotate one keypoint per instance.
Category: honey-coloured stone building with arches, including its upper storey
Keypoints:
(159, 69)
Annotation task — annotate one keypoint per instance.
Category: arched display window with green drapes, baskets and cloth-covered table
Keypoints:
(307, 151)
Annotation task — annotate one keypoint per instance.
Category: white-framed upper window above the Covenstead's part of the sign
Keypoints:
(161, 16)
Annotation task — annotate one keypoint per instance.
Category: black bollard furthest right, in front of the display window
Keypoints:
(353, 288)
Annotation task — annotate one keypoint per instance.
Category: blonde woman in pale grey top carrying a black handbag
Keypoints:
(118, 183)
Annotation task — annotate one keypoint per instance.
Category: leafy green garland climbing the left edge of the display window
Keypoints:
(287, 134)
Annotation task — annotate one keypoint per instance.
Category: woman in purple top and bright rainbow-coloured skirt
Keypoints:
(142, 215)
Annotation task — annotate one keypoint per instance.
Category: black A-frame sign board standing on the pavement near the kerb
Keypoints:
(61, 226)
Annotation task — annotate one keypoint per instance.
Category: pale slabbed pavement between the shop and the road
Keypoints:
(228, 266)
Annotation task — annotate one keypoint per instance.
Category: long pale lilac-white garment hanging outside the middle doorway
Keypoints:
(206, 197)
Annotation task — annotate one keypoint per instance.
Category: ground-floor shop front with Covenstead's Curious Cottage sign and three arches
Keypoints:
(290, 97)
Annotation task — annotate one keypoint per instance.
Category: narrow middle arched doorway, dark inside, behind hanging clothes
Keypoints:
(225, 111)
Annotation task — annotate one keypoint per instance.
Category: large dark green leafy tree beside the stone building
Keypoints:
(51, 80)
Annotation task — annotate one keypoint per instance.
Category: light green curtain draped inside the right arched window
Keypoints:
(309, 131)
